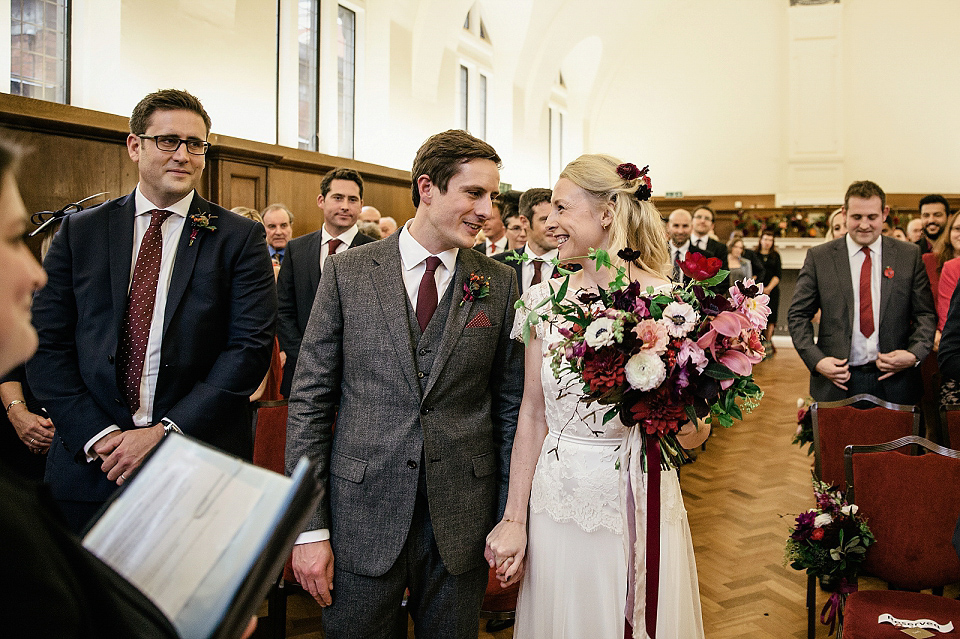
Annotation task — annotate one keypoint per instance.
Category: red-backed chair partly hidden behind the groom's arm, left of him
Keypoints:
(269, 445)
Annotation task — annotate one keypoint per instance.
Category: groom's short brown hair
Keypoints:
(442, 154)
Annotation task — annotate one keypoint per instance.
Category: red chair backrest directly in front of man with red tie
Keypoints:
(860, 420)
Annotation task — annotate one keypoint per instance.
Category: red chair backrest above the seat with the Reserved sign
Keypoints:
(911, 504)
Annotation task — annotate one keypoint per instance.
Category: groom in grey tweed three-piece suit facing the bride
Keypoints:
(408, 348)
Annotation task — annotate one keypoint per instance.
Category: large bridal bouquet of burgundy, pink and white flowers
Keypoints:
(659, 357)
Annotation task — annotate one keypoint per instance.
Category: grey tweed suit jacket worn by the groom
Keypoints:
(358, 366)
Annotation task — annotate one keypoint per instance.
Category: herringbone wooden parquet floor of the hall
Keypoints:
(741, 495)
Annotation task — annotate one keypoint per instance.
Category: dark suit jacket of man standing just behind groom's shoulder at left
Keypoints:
(296, 288)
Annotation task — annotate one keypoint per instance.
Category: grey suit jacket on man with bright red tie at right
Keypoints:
(907, 319)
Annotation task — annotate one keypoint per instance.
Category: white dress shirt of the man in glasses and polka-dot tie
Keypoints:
(171, 229)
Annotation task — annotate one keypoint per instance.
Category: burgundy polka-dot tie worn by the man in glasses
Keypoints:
(135, 329)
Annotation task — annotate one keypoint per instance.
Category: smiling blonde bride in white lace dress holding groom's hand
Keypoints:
(565, 460)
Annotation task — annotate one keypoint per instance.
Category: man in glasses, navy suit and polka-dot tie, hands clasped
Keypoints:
(158, 316)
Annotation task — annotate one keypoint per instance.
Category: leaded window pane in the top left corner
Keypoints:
(38, 49)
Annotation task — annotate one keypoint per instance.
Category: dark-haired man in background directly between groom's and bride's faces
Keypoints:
(541, 246)
